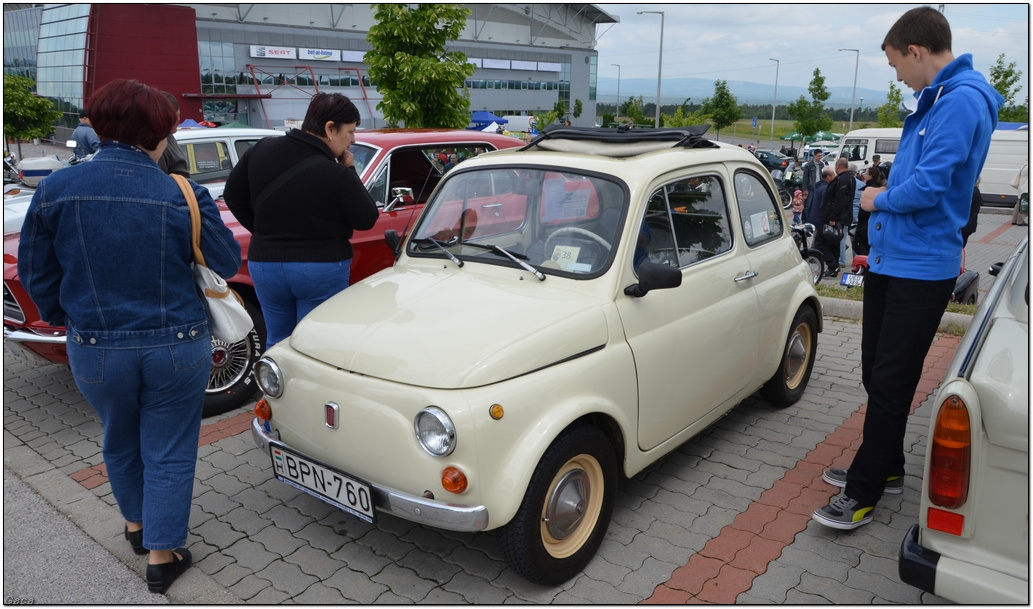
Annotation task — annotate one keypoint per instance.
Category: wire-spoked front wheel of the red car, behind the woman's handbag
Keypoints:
(232, 382)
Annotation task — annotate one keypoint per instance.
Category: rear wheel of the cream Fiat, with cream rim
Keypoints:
(790, 381)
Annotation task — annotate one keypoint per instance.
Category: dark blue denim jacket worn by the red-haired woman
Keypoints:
(106, 251)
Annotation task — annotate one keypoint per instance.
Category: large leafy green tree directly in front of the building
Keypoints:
(422, 84)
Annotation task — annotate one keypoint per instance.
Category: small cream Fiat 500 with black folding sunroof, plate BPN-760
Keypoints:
(559, 316)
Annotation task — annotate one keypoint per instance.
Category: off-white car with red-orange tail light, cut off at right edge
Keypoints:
(972, 543)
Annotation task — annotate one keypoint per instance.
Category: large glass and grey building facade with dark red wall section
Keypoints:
(259, 65)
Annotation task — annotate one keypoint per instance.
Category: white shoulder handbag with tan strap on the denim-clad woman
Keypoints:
(229, 320)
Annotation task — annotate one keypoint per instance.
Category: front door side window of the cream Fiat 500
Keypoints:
(686, 222)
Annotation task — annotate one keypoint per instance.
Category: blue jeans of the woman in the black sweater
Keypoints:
(289, 292)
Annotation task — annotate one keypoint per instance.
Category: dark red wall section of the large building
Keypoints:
(154, 44)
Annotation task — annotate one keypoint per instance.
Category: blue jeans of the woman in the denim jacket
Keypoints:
(150, 403)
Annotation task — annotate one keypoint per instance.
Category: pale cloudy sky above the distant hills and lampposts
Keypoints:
(736, 42)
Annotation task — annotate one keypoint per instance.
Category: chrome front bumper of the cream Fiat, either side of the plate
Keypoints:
(417, 509)
